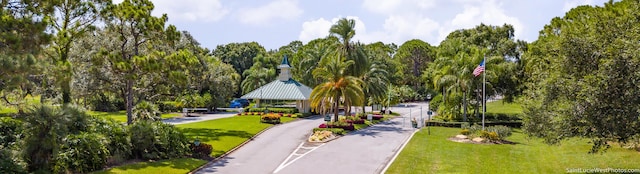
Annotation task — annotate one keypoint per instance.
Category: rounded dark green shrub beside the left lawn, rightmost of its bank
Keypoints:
(157, 140)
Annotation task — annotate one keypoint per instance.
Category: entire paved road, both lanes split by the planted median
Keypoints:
(364, 151)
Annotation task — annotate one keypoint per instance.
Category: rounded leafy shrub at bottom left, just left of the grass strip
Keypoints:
(81, 153)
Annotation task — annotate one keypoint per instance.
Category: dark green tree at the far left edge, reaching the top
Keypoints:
(22, 35)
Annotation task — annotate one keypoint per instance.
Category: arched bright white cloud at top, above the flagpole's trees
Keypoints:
(487, 12)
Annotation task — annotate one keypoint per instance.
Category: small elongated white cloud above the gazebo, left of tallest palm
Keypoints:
(275, 10)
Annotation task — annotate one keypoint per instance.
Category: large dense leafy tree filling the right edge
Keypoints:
(582, 76)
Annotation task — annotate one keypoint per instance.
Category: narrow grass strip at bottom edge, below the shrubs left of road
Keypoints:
(182, 165)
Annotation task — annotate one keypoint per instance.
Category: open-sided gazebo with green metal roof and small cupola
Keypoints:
(283, 88)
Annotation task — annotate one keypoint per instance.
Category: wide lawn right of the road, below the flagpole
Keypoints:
(435, 154)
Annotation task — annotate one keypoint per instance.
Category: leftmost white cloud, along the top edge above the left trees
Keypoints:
(189, 10)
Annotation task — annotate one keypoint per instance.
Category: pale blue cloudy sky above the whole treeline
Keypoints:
(274, 23)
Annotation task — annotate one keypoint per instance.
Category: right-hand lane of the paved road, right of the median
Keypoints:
(365, 151)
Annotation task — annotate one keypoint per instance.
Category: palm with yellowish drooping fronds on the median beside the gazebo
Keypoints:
(338, 86)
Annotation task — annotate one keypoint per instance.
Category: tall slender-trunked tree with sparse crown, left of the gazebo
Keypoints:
(136, 28)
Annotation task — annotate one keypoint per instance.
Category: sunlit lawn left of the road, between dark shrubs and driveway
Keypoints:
(226, 133)
